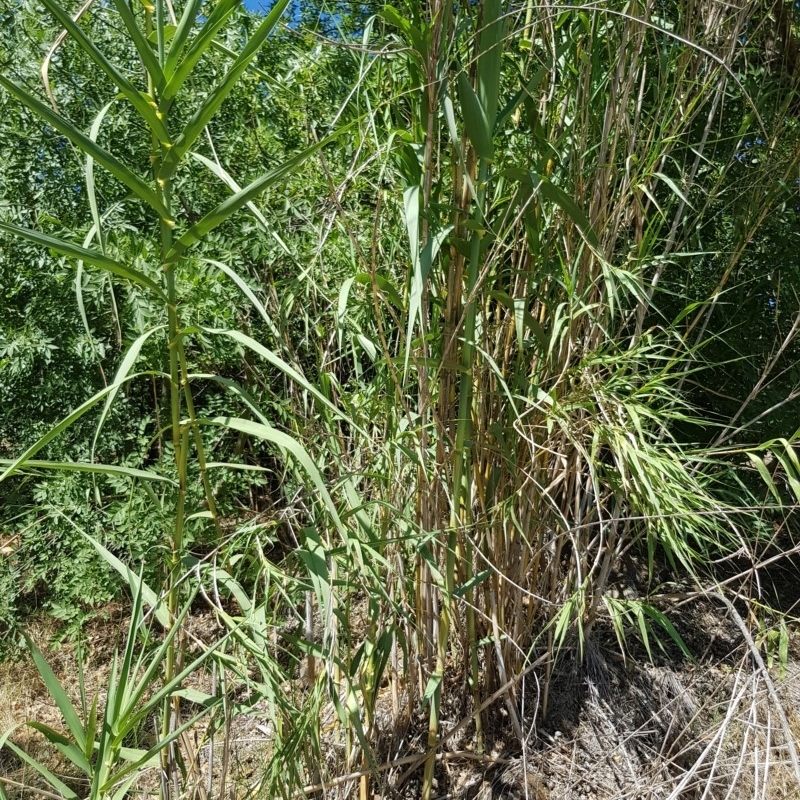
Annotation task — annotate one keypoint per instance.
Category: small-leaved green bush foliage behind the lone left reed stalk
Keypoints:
(64, 334)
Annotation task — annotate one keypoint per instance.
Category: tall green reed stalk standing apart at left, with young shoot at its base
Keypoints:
(171, 119)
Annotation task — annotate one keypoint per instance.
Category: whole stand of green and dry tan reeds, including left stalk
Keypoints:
(465, 382)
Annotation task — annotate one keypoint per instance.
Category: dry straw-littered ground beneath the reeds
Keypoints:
(618, 725)
